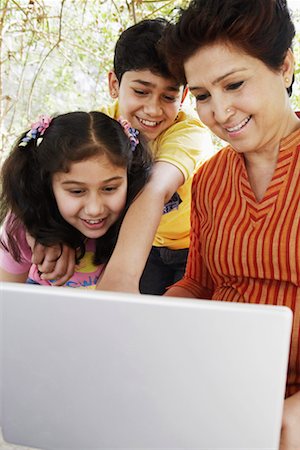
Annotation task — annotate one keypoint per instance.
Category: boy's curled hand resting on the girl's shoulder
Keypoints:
(54, 263)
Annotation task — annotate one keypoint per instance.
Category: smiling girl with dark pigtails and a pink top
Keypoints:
(69, 181)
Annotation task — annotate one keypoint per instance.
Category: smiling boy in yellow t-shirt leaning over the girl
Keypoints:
(150, 99)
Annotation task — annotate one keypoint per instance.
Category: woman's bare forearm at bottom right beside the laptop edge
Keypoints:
(290, 432)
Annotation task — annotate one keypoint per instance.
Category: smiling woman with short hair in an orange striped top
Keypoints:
(245, 224)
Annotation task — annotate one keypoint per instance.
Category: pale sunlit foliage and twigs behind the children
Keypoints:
(55, 55)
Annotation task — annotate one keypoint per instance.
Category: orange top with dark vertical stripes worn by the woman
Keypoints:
(243, 250)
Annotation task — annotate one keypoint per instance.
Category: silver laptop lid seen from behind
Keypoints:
(87, 370)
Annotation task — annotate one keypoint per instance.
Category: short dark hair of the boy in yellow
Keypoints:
(137, 49)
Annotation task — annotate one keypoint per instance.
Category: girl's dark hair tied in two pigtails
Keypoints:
(27, 172)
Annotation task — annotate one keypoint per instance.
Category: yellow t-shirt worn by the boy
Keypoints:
(186, 144)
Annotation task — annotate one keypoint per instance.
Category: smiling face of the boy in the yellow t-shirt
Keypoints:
(148, 101)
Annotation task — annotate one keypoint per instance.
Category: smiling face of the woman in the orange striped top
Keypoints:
(239, 98)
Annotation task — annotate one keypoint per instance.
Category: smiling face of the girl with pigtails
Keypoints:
(92, 195)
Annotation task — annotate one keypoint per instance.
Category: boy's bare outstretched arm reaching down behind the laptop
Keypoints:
(138, 229)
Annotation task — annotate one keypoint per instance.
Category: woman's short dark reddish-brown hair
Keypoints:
(261, 28)
